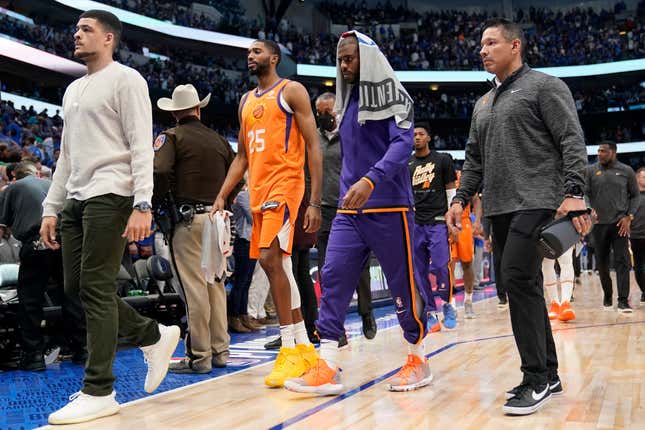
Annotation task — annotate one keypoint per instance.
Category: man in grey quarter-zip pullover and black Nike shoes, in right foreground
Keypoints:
(527, 147)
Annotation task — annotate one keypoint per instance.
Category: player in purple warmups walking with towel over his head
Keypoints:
(375, 212)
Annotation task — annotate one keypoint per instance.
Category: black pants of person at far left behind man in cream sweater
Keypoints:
(36, 270)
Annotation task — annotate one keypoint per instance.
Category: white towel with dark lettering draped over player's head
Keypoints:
(381, 95)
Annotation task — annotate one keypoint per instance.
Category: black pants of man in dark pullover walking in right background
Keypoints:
(605, 238)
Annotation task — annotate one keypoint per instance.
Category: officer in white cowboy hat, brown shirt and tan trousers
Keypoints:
(191, 161)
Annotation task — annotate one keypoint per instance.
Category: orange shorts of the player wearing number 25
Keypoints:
(268, 225)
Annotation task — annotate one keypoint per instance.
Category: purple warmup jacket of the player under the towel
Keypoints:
(379, 151)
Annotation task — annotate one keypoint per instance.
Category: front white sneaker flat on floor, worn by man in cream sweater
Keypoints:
(84, 407)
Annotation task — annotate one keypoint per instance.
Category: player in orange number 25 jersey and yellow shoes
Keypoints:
(276, 123)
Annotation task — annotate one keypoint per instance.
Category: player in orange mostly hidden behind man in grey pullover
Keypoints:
(462, 248)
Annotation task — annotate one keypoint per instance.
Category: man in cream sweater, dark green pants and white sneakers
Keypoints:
(102, 188)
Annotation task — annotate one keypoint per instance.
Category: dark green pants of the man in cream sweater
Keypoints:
(92, 249)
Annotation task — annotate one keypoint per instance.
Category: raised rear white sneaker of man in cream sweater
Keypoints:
(157, 356)
